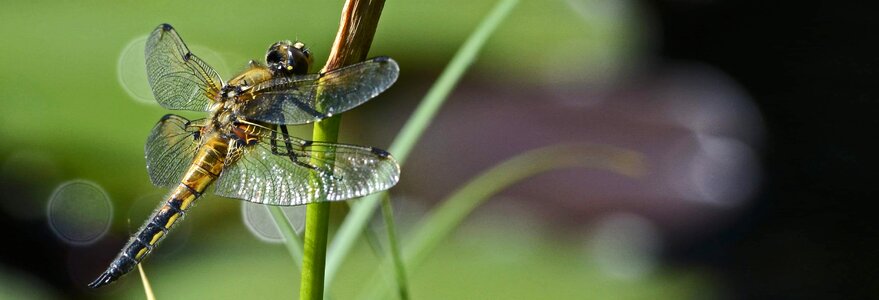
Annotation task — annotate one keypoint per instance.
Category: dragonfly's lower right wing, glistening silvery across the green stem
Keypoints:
(280, 170)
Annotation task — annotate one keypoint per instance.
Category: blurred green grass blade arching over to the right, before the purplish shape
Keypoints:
(441, 221)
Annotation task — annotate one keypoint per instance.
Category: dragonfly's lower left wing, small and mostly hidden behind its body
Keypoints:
(170, 149)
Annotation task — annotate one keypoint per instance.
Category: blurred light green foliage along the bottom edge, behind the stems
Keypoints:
(471, 265)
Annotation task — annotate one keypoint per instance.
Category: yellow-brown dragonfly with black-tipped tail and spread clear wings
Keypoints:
(244, 147)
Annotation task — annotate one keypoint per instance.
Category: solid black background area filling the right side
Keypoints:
(811, 68)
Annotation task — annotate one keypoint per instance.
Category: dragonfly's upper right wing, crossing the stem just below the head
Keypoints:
(308, 98)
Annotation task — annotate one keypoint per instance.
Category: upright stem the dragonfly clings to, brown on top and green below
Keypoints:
(356, 29)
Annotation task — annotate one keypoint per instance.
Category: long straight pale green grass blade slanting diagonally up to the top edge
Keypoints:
(363, 210)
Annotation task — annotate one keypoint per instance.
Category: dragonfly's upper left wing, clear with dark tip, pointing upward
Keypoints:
(179, 79)
